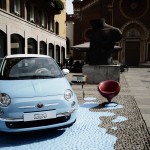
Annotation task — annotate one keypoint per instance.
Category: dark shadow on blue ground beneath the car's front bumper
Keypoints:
(23, 138)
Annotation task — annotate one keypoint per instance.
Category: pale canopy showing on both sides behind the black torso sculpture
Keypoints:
(85, 47)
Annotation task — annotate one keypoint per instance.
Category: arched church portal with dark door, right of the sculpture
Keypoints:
(134, 43)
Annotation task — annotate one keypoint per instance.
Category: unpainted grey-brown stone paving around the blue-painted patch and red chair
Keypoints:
(135, 98)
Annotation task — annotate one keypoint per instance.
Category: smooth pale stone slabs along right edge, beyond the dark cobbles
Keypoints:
(138, 80)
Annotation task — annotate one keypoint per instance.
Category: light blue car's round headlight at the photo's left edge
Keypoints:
(4, 100)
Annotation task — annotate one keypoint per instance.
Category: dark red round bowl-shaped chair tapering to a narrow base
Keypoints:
(109, 89)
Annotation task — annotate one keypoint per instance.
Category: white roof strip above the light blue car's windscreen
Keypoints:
(26, 55)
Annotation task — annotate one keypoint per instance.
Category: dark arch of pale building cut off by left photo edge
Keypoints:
(3, 44)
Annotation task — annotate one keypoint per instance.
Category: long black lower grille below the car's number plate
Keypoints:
(37, 123)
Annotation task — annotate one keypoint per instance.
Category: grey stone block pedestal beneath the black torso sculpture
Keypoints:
(97, 73)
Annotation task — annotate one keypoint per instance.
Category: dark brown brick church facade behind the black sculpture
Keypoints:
(130, 16)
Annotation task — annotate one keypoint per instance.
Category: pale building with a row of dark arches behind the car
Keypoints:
(31, 26)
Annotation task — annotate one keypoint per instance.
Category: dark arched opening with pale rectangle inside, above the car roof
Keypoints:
(17, 44)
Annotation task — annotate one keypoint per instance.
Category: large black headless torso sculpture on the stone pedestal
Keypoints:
(102, 42)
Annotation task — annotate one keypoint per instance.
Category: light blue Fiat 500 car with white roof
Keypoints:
(34, 94)
